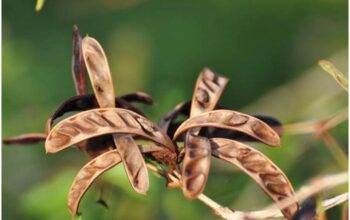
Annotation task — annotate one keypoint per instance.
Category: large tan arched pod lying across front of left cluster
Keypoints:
(103, 121)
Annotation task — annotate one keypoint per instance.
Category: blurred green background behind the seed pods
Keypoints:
(268, 49)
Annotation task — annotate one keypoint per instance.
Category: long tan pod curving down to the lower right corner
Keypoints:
(262, 170)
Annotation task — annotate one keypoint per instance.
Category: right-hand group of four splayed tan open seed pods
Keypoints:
(196, 160)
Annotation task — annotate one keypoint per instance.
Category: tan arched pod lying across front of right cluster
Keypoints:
(232, 120)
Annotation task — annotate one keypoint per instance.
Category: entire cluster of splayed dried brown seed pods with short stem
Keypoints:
(107, 128)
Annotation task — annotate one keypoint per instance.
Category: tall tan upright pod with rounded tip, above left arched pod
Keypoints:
(98, 69)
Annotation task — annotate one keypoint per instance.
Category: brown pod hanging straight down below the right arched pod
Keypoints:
(196, 165)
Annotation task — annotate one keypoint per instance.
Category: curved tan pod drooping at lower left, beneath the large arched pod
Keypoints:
(88, 174)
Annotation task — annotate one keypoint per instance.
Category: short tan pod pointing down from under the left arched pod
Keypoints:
(134, 164)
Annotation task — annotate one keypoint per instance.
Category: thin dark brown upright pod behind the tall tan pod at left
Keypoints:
(78, 65)
